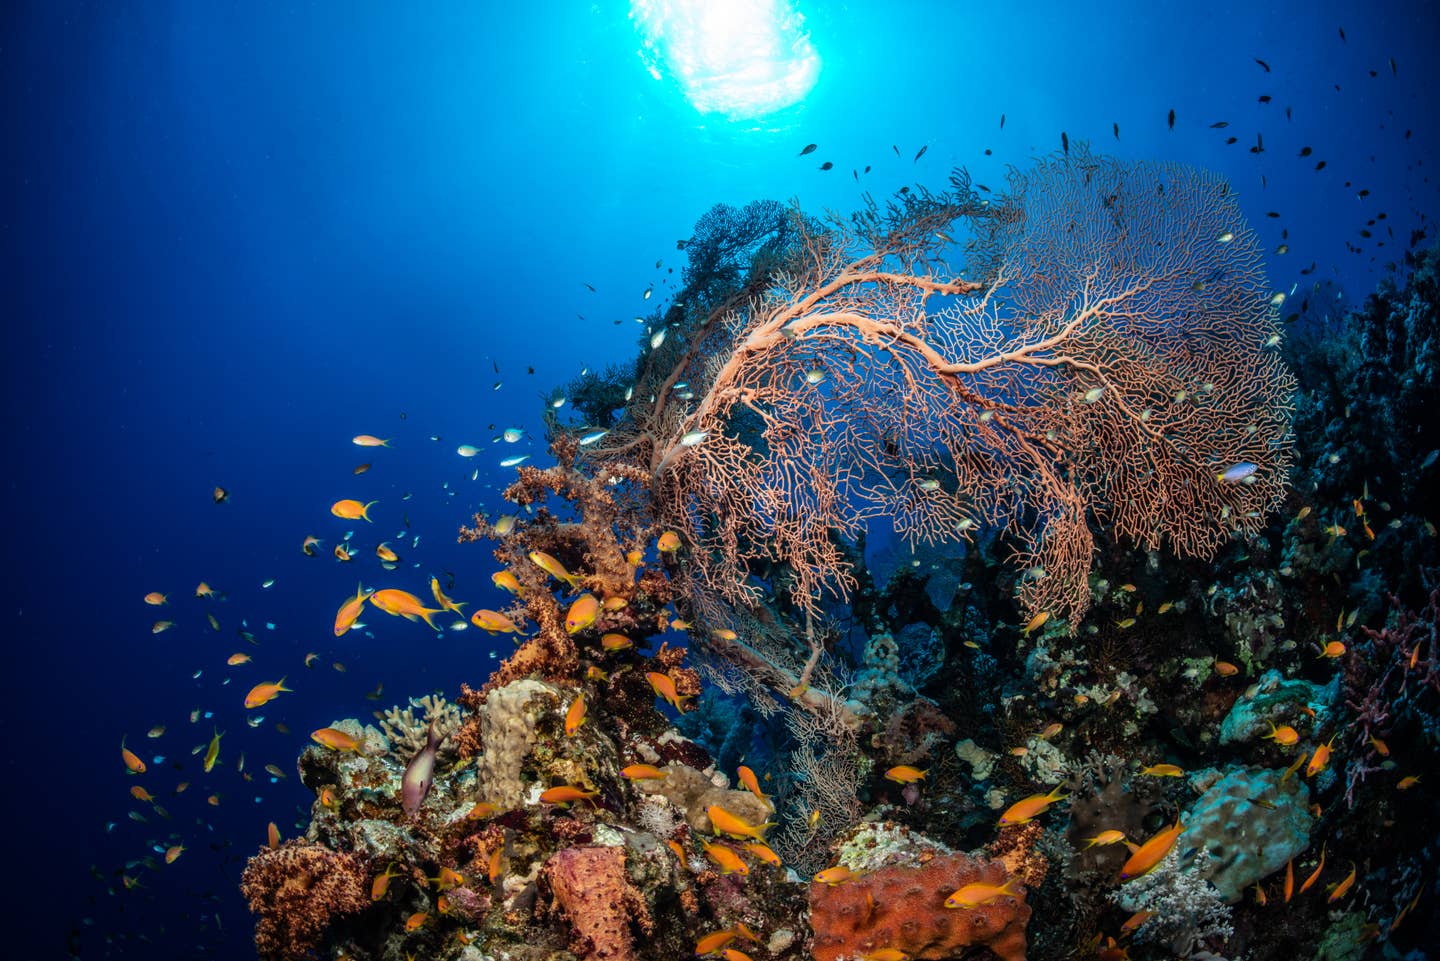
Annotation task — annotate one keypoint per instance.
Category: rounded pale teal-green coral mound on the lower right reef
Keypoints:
(1251, 825)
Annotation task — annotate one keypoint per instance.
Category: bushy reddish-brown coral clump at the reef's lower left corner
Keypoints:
(296, 891)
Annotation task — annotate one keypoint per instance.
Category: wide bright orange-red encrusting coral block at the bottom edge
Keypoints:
(904, 907)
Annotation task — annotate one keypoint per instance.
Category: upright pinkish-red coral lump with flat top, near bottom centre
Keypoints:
(590, 884)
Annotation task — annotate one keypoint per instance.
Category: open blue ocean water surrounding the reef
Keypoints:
(237, 236)
